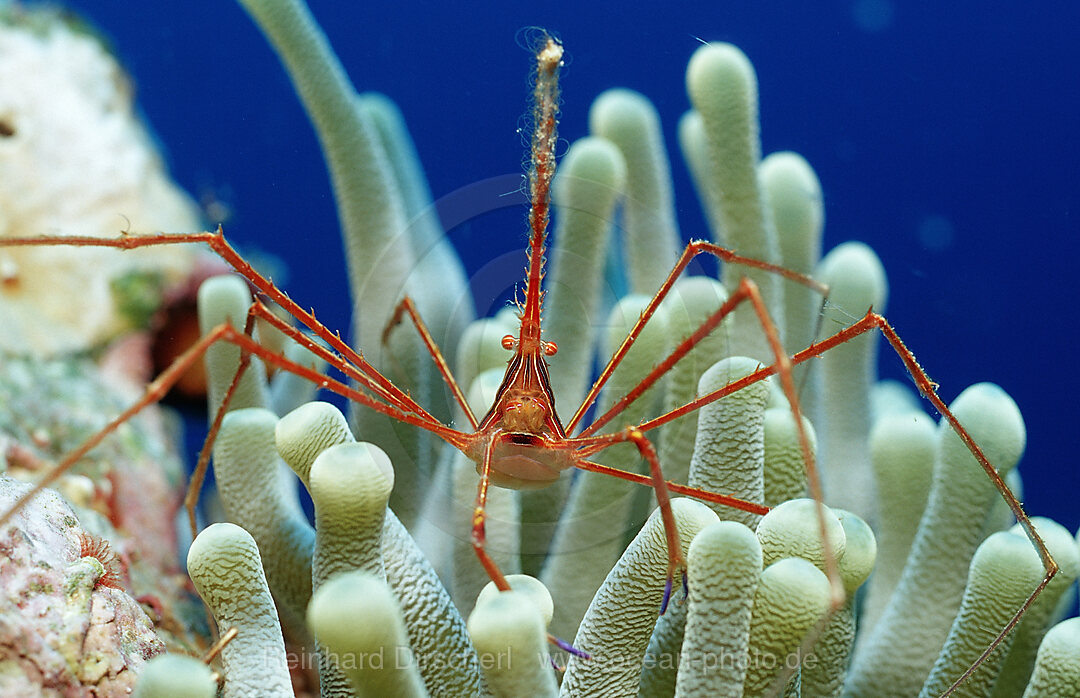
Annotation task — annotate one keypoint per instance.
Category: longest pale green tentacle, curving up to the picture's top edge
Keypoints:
(380, 249)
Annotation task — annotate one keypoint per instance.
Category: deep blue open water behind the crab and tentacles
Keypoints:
(944, 136)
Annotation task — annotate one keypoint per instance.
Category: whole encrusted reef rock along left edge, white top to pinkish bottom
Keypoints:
(91, 579)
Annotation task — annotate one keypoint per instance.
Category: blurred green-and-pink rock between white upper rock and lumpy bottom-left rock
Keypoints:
(131, 484)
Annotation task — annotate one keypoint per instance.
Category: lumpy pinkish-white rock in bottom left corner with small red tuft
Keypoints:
(73, 634)
